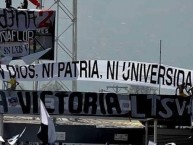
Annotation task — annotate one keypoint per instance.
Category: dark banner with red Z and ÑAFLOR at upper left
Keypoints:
(27, 31)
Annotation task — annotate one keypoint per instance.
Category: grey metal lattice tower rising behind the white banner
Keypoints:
(62, 8)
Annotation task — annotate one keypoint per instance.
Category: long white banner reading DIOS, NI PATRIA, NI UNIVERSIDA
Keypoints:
(127, 72)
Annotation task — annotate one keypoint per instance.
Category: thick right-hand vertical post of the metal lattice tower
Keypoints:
(74, 40)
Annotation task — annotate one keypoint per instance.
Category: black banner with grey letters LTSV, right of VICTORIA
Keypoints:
(160, 106)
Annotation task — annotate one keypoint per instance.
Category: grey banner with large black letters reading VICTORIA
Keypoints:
(65, 103)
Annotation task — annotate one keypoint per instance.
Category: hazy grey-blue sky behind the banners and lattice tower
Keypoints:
(129, 30)
